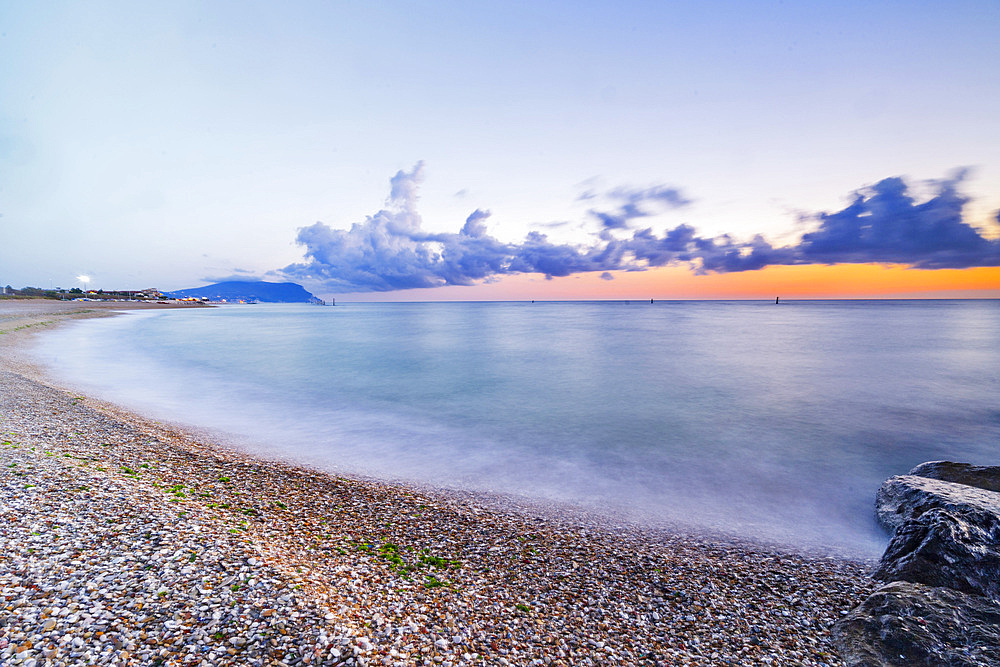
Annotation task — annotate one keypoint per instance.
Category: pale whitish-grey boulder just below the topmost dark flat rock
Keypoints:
(906, 497)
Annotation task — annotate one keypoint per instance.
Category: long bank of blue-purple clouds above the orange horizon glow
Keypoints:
(883, 223)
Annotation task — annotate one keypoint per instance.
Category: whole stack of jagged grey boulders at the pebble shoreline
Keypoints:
(943, 605)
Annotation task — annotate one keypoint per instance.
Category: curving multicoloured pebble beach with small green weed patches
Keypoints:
(132, 542)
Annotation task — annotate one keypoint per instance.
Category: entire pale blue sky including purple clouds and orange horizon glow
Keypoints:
(475, 151)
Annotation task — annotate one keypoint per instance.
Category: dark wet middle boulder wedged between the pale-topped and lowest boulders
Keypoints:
(957, 549)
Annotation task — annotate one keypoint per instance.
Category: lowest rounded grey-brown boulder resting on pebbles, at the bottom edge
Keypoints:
(912, 625)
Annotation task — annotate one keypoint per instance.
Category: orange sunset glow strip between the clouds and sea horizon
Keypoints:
(813, 281)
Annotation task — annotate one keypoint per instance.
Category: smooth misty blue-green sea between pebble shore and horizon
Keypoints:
(775, 422)
